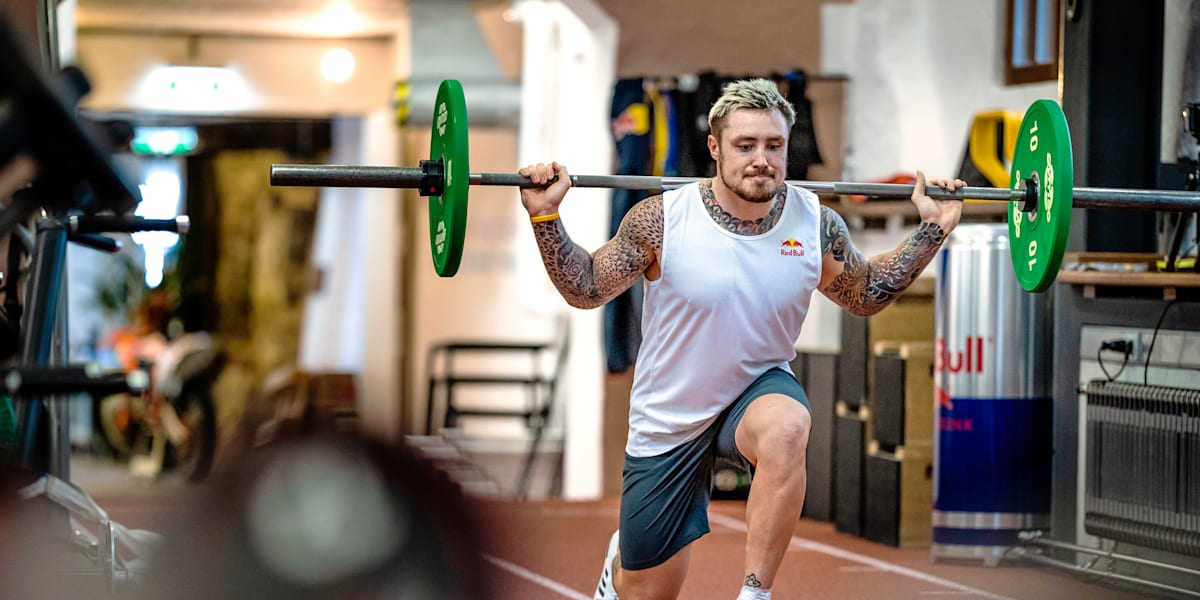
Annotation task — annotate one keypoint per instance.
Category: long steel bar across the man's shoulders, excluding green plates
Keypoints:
(333, 176)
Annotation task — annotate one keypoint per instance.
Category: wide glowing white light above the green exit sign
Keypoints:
(194, 89)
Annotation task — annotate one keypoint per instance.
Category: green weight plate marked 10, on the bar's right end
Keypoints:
(1039, 241)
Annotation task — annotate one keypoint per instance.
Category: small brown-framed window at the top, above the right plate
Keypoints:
(1031, 50)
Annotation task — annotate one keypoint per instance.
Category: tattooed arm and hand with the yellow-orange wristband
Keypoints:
(590, 280)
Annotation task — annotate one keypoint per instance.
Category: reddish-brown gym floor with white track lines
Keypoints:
(554, 550)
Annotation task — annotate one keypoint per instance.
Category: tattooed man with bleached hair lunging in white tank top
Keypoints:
(731, 265)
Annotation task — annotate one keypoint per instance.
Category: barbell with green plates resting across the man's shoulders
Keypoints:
(1042, 191)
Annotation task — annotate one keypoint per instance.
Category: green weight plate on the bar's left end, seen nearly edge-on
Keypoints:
(448, 213)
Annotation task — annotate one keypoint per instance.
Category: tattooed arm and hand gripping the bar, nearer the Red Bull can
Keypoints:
(866, 287)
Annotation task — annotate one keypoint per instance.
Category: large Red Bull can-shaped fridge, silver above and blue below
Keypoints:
(993, 394)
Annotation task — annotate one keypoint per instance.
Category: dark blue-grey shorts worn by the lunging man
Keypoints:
(664, 500)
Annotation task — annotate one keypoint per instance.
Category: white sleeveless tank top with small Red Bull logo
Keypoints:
(725, 310)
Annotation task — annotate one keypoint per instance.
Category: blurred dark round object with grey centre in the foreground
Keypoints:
(325, 517)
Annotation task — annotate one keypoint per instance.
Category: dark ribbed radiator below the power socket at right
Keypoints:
(1143, 472)
